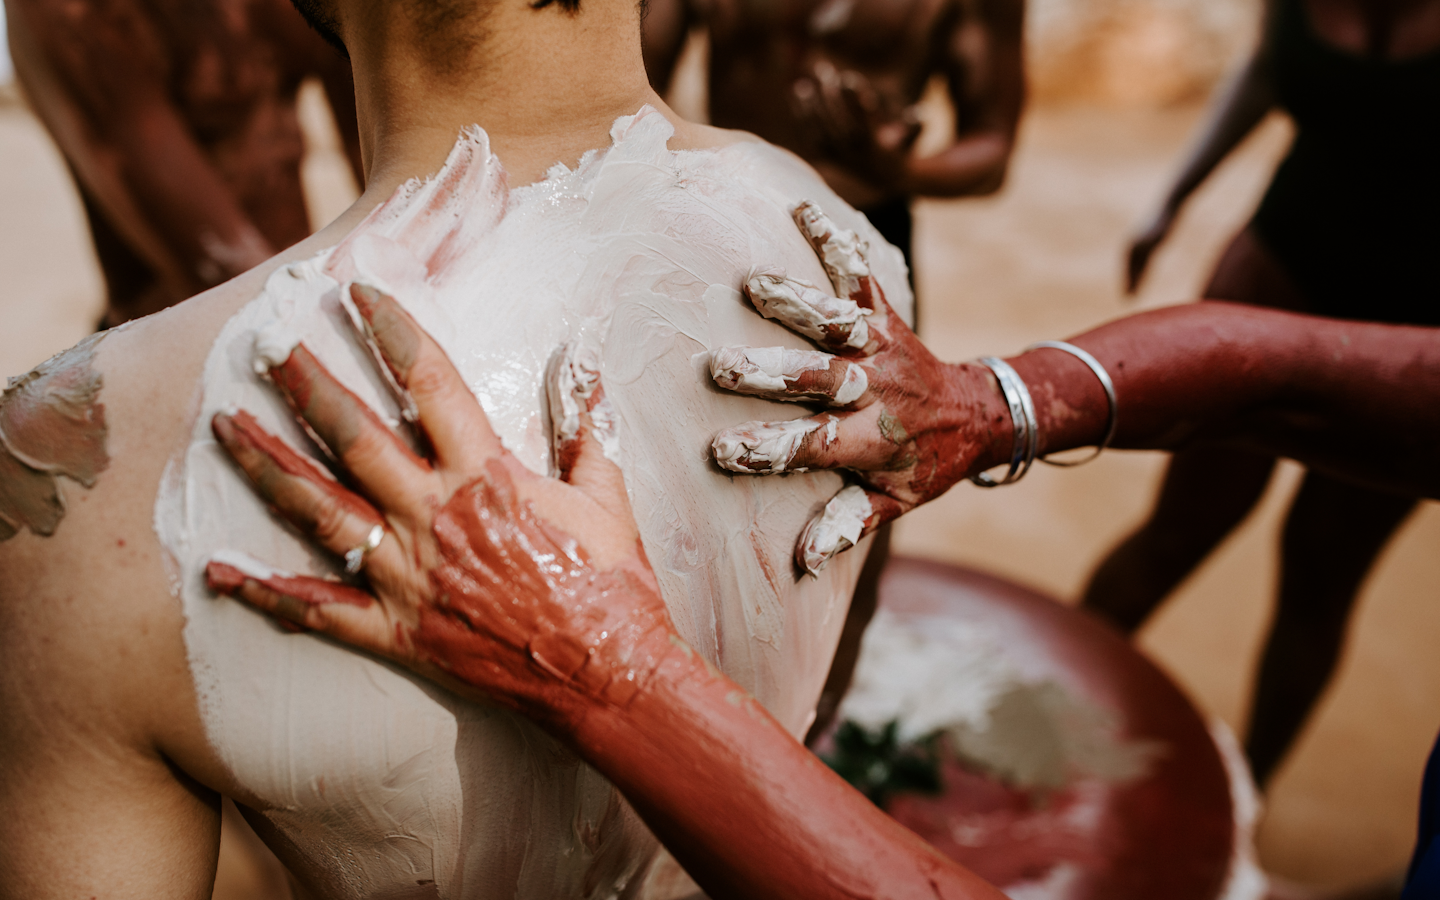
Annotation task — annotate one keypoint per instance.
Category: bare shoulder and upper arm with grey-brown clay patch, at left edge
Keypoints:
(97, 709)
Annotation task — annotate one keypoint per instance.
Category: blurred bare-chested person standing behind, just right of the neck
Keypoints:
(837, 81)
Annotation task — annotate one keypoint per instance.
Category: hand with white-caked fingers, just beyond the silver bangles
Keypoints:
(908, 426)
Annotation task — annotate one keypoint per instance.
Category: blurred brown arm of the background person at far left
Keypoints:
(99, 77)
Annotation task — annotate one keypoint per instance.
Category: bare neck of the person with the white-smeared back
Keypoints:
(545, 84)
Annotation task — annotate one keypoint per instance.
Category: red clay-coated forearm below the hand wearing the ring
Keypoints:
(745, 809)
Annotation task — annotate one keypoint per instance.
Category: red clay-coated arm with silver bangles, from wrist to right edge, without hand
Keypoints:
(1357, 400)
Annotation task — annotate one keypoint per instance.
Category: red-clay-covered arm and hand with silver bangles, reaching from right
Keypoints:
(909, 427)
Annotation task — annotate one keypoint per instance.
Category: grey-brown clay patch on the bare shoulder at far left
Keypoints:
(51, 424)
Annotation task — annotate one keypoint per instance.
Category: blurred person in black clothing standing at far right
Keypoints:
(1349, 228)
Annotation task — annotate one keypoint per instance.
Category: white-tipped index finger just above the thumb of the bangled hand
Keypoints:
(863, 440)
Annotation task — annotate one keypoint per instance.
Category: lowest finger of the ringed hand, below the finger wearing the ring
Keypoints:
(342, 611)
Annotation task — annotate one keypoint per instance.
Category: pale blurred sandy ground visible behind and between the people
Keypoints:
(1040, 261)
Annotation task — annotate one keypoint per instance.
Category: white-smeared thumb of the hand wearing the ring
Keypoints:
(584, 438)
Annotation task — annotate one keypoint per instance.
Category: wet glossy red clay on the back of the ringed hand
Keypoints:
(546, 613)
